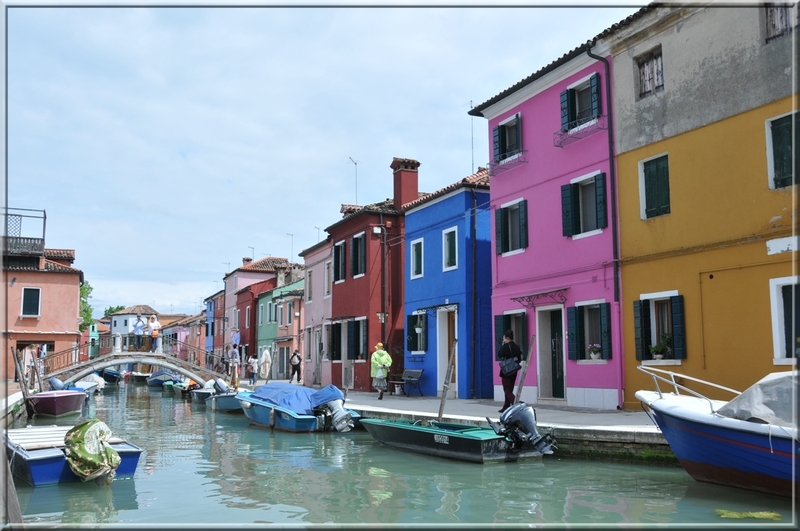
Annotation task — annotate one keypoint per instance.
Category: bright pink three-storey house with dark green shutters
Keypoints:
(554, 274)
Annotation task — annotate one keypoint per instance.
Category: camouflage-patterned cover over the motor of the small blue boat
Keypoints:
(88, 451)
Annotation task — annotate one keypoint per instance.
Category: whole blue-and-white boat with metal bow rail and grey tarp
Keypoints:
(749, 442)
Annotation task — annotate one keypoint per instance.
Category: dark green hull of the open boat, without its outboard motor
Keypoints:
(452, 441)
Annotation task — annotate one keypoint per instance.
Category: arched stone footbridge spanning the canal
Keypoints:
(76, 371)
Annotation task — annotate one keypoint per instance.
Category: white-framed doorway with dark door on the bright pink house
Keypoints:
(550, 325)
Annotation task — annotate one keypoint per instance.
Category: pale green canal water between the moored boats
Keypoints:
(205, 468)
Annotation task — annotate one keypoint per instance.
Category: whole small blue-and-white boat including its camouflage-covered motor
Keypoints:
(41, 455)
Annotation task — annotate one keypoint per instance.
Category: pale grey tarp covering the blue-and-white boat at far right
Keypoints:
(770, 400)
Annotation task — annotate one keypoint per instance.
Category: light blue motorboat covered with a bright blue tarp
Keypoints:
(287, 407)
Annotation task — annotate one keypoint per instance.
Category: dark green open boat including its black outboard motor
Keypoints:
(515, 437)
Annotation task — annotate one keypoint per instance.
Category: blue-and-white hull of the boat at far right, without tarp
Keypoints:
(725, 451)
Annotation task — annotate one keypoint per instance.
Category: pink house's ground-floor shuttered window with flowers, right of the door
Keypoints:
(589, 323)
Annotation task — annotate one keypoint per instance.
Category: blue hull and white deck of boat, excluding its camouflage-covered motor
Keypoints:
(45, 463)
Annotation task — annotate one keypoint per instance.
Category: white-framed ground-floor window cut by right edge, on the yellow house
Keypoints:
(784, 308)
